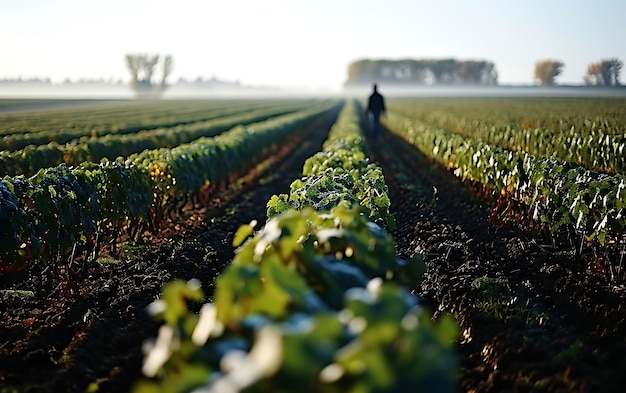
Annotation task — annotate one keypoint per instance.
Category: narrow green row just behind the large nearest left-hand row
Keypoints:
(29, 160)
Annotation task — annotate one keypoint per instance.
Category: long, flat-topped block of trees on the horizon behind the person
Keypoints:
(422, 71)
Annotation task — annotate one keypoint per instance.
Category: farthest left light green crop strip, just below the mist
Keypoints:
(65, 127)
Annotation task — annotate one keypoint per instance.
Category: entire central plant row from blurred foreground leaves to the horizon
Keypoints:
(315, 301)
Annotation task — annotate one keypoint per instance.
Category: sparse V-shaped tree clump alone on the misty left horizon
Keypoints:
(143, 76)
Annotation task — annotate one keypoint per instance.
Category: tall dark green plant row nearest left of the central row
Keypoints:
(62, 214)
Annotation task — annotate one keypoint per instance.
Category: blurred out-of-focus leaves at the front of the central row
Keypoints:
(302, 307)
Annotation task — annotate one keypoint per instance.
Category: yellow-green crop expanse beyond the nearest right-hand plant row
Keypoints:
(589, 133)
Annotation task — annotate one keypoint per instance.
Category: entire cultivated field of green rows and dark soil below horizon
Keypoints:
(477, 244)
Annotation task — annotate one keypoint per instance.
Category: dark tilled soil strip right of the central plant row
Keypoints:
(531, 320)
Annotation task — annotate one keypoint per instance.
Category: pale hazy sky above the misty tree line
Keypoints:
(303, 43)
